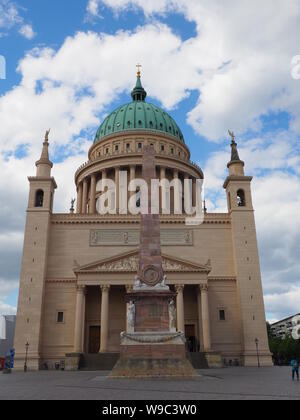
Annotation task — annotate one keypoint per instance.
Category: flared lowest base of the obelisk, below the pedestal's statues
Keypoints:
(153, 355)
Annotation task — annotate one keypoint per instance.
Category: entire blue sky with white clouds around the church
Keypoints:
(212, 67)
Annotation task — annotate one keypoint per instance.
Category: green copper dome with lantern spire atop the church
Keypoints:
(139, 115)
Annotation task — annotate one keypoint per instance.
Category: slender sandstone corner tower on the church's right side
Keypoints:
(246, 260)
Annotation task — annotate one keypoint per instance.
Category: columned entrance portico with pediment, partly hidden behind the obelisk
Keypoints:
(101, 307)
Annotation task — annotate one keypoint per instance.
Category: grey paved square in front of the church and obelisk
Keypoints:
(233, 383)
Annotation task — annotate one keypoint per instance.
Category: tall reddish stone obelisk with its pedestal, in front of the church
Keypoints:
(151, 347)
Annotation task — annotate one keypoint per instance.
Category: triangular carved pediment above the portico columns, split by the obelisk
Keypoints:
(128, 263)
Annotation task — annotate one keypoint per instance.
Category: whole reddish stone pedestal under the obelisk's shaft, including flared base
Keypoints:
(152, 349)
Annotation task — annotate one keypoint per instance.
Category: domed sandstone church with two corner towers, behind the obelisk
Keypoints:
(78, 266)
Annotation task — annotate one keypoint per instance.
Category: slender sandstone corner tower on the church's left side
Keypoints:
(34, 262)
